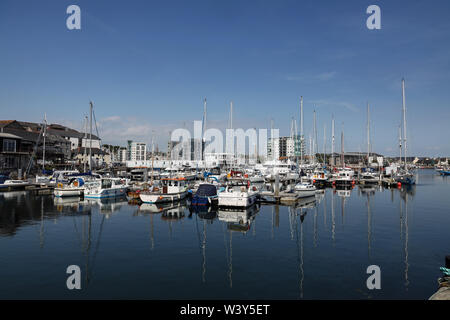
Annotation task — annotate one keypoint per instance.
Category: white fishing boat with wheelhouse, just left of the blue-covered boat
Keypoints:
(172, 189)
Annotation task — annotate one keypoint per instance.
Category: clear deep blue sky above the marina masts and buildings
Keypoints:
(147, 65)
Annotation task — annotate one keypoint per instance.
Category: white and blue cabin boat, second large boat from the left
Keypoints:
(105, 188)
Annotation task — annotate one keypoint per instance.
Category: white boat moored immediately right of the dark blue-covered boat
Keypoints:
(238, 193)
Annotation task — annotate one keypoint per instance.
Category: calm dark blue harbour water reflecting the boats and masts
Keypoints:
(318, 250)
